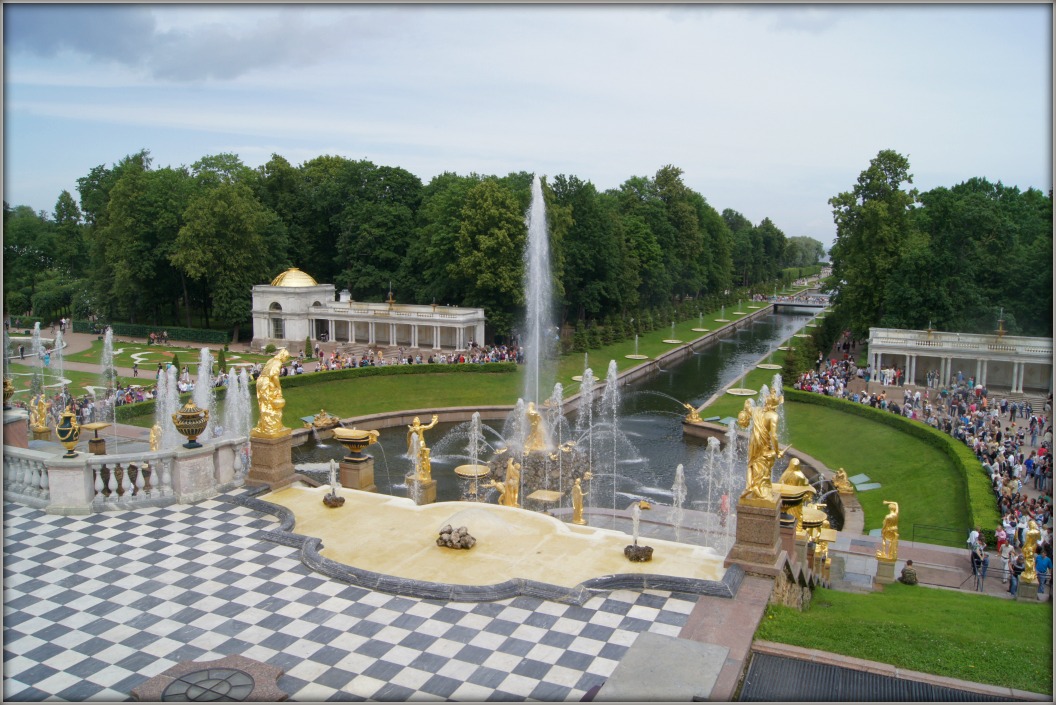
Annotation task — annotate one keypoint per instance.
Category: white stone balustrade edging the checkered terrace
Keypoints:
(90, 484)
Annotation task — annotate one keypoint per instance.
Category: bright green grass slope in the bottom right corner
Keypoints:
(957, 635)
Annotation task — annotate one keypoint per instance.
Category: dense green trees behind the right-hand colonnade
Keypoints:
(956, 259)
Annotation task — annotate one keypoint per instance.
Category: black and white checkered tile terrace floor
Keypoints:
(95, 606)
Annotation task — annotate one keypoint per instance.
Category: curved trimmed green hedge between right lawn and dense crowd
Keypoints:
(976, 492)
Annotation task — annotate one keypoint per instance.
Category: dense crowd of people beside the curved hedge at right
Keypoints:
(1012, 441)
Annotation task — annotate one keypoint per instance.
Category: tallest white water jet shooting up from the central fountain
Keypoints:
(539, 340)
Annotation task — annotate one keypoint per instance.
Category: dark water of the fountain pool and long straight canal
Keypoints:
(651, 417)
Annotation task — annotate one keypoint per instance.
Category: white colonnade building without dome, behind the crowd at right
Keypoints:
(1019, 365)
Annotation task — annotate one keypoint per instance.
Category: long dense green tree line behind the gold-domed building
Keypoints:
(186, 244)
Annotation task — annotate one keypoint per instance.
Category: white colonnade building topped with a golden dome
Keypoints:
(295, 308)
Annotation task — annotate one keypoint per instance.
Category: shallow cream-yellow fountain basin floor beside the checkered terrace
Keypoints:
(392, 537)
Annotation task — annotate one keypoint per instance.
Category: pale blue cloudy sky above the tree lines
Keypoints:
(768, 110)
